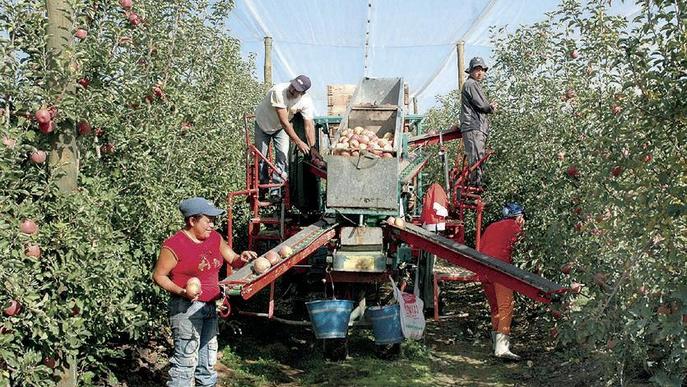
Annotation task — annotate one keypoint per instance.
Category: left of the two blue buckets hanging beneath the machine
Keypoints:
(330, 318)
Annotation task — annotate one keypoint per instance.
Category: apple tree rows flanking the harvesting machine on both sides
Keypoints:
(140, 105)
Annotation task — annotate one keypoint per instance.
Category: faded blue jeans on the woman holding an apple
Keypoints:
(194, 329)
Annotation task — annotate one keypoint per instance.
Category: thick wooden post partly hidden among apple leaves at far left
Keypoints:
(64, 155)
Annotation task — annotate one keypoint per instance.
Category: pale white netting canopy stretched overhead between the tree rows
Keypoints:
(341, 41)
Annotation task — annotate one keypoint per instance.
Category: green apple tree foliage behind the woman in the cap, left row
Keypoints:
(165, 101)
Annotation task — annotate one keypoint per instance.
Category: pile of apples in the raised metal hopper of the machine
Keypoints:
(352, 142)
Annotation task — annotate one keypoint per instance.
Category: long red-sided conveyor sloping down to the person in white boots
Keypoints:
(491, 269)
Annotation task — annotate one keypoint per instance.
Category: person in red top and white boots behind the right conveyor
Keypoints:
(497, 242)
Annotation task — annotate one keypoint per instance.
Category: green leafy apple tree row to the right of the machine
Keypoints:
(624, 229)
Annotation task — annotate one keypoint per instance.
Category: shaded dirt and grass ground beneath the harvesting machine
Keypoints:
(455, 351)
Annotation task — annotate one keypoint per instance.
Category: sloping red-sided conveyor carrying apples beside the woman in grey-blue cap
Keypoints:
(245, 283)
